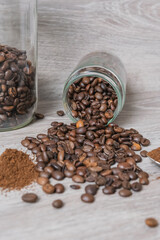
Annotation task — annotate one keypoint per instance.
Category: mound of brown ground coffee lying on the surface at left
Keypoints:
(16, 170)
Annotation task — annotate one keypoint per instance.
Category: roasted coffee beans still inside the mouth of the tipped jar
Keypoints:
(91, 98)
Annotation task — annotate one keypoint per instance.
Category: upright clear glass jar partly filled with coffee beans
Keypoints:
(18, 59)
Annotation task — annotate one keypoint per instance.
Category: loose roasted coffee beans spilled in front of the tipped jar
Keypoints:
(103, 156)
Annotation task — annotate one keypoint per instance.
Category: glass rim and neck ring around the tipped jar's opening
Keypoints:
(100, 72)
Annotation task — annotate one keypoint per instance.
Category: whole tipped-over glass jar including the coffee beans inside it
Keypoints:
(96, 89)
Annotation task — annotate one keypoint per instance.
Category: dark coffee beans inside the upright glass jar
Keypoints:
(17, 87)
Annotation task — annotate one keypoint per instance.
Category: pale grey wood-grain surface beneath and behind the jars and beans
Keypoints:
(67, 31)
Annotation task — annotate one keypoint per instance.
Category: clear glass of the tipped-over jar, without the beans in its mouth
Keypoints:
(103, 66)
